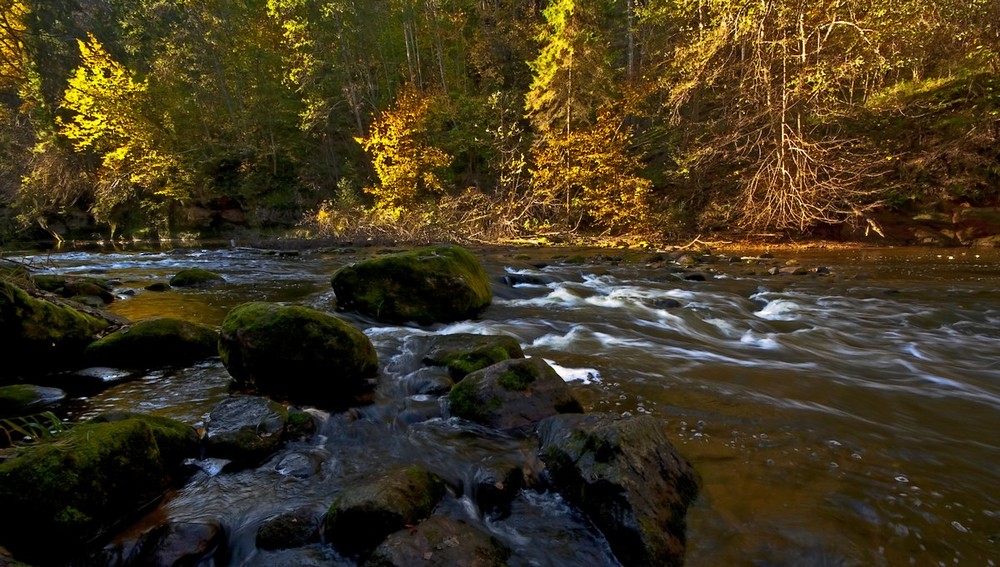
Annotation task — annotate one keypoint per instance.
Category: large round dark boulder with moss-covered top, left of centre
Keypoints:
(296, 352)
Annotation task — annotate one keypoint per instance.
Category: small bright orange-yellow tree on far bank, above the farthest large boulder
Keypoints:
(408, 167)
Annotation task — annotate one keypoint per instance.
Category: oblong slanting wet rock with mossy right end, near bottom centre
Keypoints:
(363, 515)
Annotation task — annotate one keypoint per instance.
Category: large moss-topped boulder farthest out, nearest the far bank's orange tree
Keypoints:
(436, 284)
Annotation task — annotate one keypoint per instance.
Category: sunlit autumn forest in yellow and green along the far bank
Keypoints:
(487, 120)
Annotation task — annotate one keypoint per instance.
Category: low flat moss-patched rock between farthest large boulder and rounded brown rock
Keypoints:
(463, 353)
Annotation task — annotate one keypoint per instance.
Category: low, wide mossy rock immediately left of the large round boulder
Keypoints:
(154, 342)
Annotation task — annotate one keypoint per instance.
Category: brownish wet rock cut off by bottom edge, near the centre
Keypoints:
(440, 541)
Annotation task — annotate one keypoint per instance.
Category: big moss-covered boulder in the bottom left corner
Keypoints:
(59, 496)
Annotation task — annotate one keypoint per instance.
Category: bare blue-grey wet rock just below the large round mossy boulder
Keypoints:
(246, 430)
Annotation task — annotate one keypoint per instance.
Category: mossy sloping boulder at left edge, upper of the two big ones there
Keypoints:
(40, 335)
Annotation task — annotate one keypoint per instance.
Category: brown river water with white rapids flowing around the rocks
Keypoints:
(848, 418)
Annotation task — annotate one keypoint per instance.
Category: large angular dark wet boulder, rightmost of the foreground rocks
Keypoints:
(627, 477)
